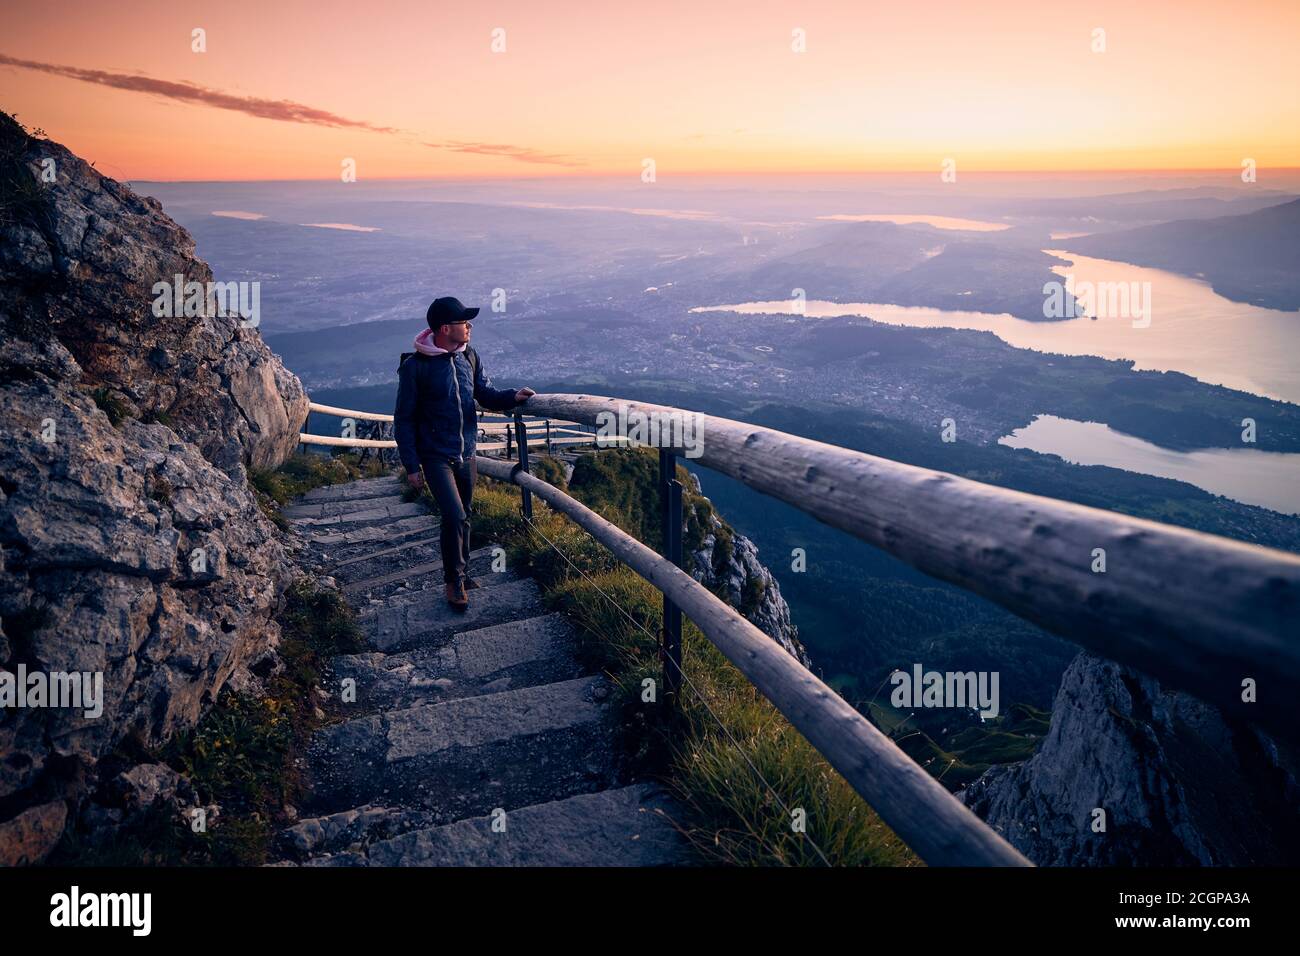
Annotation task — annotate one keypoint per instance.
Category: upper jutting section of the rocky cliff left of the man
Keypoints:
(83, 259)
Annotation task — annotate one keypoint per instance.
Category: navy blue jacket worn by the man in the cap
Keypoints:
(435, 416)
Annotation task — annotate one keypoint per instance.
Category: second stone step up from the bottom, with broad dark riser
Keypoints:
(466, 758)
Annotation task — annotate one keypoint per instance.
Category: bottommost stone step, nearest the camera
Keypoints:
(630, 827)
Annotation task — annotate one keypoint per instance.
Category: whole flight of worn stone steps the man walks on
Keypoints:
(476, 739)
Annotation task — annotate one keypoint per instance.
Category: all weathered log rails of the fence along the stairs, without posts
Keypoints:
(1202, 613)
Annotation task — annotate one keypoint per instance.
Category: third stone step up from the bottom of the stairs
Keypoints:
(488, 660)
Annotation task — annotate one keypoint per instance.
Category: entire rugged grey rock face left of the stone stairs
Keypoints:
(131, 543)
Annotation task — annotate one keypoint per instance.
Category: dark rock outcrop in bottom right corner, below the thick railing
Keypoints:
(1178, 784)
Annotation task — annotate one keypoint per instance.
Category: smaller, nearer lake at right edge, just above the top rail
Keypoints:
(1269, 479)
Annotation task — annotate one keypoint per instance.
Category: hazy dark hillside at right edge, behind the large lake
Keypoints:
(1254, 258)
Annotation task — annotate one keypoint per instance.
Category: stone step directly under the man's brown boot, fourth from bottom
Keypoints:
(427, 618)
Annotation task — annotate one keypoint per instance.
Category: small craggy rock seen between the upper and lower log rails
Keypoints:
(727, 564)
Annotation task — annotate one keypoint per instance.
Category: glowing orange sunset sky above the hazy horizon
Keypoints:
(700, 86)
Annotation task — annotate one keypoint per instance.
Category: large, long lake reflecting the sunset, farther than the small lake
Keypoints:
(1193, 330)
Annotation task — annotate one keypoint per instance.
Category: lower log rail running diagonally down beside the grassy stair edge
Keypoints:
(928, 817)
